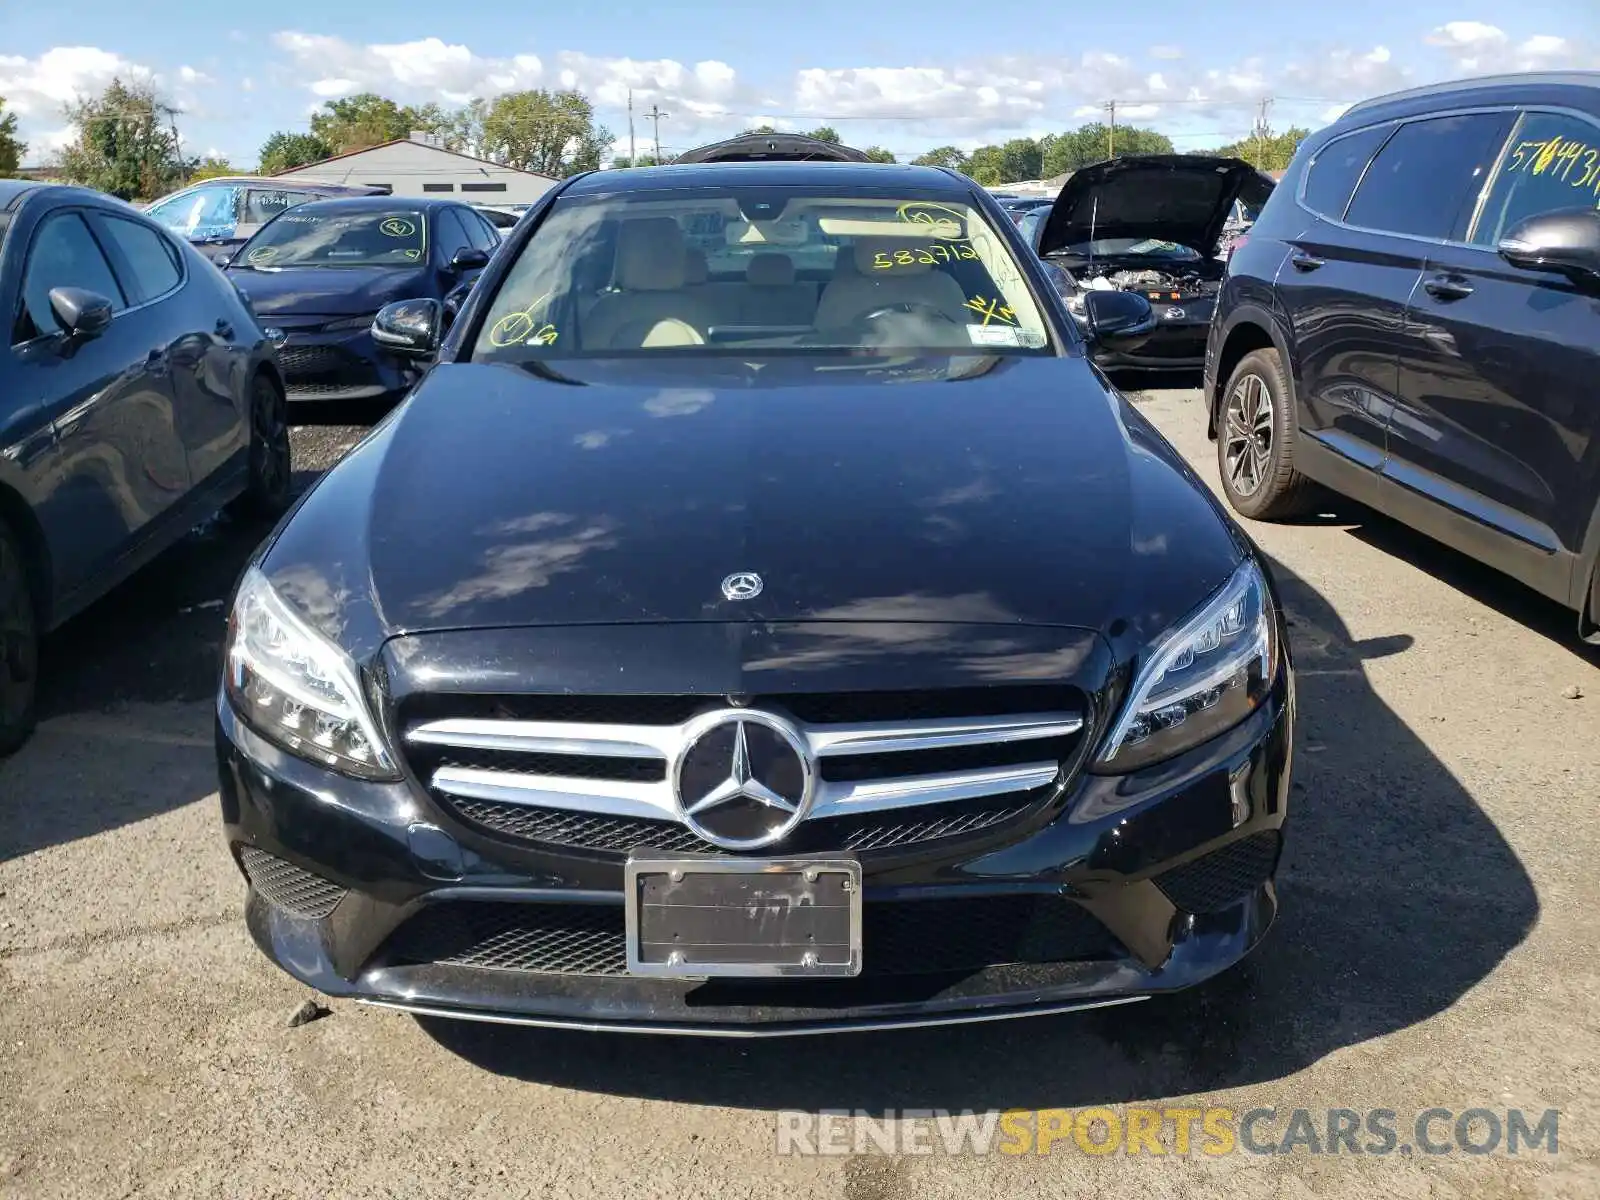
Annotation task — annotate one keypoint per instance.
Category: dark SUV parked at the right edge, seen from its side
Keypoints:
(1415, 322)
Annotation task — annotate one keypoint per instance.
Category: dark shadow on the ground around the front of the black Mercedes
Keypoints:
(1399, 897)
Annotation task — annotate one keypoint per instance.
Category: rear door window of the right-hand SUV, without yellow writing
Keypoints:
(1428, 177)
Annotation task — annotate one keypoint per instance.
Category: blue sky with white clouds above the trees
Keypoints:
(905, 78)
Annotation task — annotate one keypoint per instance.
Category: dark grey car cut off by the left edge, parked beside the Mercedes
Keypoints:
(138, 396)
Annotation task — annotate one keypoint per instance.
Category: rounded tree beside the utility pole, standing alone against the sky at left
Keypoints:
(126, 143)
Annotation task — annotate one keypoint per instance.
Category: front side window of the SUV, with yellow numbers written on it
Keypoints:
(1553, 162)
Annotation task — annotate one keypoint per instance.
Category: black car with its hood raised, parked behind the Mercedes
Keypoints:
(1153, 225)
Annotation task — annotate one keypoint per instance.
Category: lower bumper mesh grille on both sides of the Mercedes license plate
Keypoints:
(898, 938)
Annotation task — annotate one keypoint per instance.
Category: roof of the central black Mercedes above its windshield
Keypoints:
(786, 174)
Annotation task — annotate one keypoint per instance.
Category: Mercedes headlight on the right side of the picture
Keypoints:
(1202, 676)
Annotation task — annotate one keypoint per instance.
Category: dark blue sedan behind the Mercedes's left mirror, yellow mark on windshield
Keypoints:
(319, 274)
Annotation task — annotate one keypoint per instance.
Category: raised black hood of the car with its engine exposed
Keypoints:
(1169, 198)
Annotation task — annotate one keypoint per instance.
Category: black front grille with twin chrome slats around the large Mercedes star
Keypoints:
(553, 770)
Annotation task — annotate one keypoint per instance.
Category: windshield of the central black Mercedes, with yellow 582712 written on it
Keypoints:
(703, 271)
